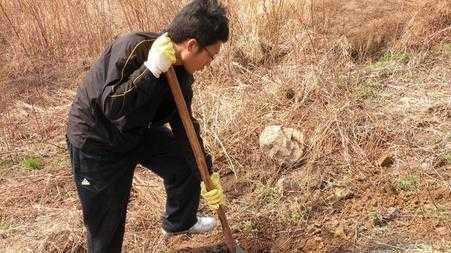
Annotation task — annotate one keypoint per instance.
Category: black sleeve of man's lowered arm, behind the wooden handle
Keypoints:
(180, 134)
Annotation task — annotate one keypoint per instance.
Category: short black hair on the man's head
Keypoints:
(203, 20)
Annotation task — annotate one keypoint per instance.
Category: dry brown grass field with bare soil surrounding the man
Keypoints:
(367, 82)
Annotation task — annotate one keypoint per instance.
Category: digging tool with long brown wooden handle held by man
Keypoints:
(199, 155)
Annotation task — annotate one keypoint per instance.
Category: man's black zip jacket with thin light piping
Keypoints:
(120, 98)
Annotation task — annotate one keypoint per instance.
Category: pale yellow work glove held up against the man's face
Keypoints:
(161, 56)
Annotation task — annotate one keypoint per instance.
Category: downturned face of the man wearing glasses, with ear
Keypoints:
(195, 58)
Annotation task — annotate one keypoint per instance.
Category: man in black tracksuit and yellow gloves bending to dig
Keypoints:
(117, 121)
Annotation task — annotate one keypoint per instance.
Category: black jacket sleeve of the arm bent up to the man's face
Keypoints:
(129, 84)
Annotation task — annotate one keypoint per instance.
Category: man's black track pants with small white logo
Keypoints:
(104, 181)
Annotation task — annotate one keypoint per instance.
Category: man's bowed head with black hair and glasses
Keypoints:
(198, 31)
